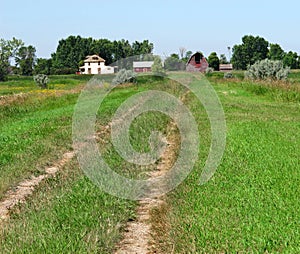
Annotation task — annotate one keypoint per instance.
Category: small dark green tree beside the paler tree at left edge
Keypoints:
(25, 59)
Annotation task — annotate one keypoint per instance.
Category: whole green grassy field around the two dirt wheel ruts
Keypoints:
(250, 205)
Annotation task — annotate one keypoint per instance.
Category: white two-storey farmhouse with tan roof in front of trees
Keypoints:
(95, 65)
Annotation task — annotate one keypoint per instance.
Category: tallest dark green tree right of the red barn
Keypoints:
(251, 50)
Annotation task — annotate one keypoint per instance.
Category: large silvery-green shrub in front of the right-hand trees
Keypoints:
(267, 69)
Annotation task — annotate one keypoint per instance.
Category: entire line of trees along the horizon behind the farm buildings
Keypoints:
(71, 52)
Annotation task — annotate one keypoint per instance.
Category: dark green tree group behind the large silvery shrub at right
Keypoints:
(254, 49)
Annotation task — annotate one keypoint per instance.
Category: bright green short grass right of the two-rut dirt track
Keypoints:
(252, 203)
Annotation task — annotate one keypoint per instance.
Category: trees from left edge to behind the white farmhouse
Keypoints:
(68, 57)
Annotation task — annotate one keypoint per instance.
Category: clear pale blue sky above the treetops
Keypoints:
(196, 25)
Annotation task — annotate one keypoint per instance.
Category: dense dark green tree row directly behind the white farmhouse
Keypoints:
(72, 51)
